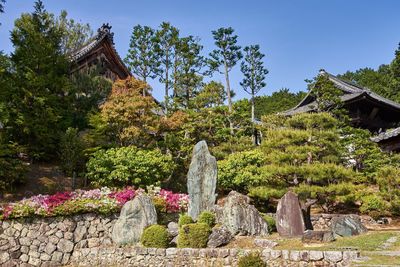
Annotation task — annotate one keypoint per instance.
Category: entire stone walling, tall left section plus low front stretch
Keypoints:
(86, 240)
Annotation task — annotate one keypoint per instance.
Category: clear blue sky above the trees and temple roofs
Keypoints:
(298, 37)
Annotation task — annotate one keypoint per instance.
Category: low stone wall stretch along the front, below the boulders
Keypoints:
(173, 257)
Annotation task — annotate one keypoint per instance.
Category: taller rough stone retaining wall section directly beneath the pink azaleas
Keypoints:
(51, 241)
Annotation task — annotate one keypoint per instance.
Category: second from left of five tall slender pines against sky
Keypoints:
(167, 37)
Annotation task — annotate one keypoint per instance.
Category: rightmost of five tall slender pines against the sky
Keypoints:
(254, 75)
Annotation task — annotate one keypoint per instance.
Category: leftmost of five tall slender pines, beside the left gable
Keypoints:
(142, 58)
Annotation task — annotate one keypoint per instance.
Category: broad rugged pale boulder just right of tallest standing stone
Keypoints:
(239, 217)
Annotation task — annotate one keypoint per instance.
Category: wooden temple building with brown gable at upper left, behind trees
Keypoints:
(101, 54)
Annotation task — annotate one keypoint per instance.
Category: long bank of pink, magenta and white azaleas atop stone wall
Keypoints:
(102, 200)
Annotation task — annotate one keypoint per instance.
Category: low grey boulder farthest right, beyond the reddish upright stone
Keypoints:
(347, 225)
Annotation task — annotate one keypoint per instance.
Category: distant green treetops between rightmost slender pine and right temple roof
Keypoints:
(278, 101)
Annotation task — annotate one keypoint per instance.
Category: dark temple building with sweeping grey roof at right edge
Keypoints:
(366, 109)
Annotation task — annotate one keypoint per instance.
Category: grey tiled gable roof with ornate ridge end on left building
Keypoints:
(104, 36)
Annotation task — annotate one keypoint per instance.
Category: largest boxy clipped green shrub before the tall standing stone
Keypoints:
(194, 235)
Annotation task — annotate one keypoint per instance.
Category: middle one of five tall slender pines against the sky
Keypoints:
(188, 63)
